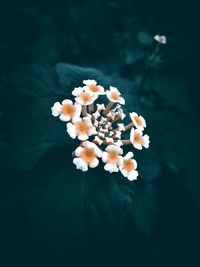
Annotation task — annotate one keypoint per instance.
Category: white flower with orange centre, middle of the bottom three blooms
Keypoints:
(112, 158)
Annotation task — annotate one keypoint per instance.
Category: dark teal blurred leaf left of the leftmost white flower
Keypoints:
(30, 128)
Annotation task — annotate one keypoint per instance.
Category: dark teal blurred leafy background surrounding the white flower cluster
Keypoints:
(53, 215)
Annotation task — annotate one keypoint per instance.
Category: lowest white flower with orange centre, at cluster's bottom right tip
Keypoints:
(128, 167)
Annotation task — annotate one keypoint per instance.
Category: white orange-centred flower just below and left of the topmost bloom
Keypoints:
(83, 97)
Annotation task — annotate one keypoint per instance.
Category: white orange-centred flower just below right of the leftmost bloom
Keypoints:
(81, 128)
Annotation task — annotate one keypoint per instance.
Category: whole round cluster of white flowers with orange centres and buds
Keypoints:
(99, 129)
